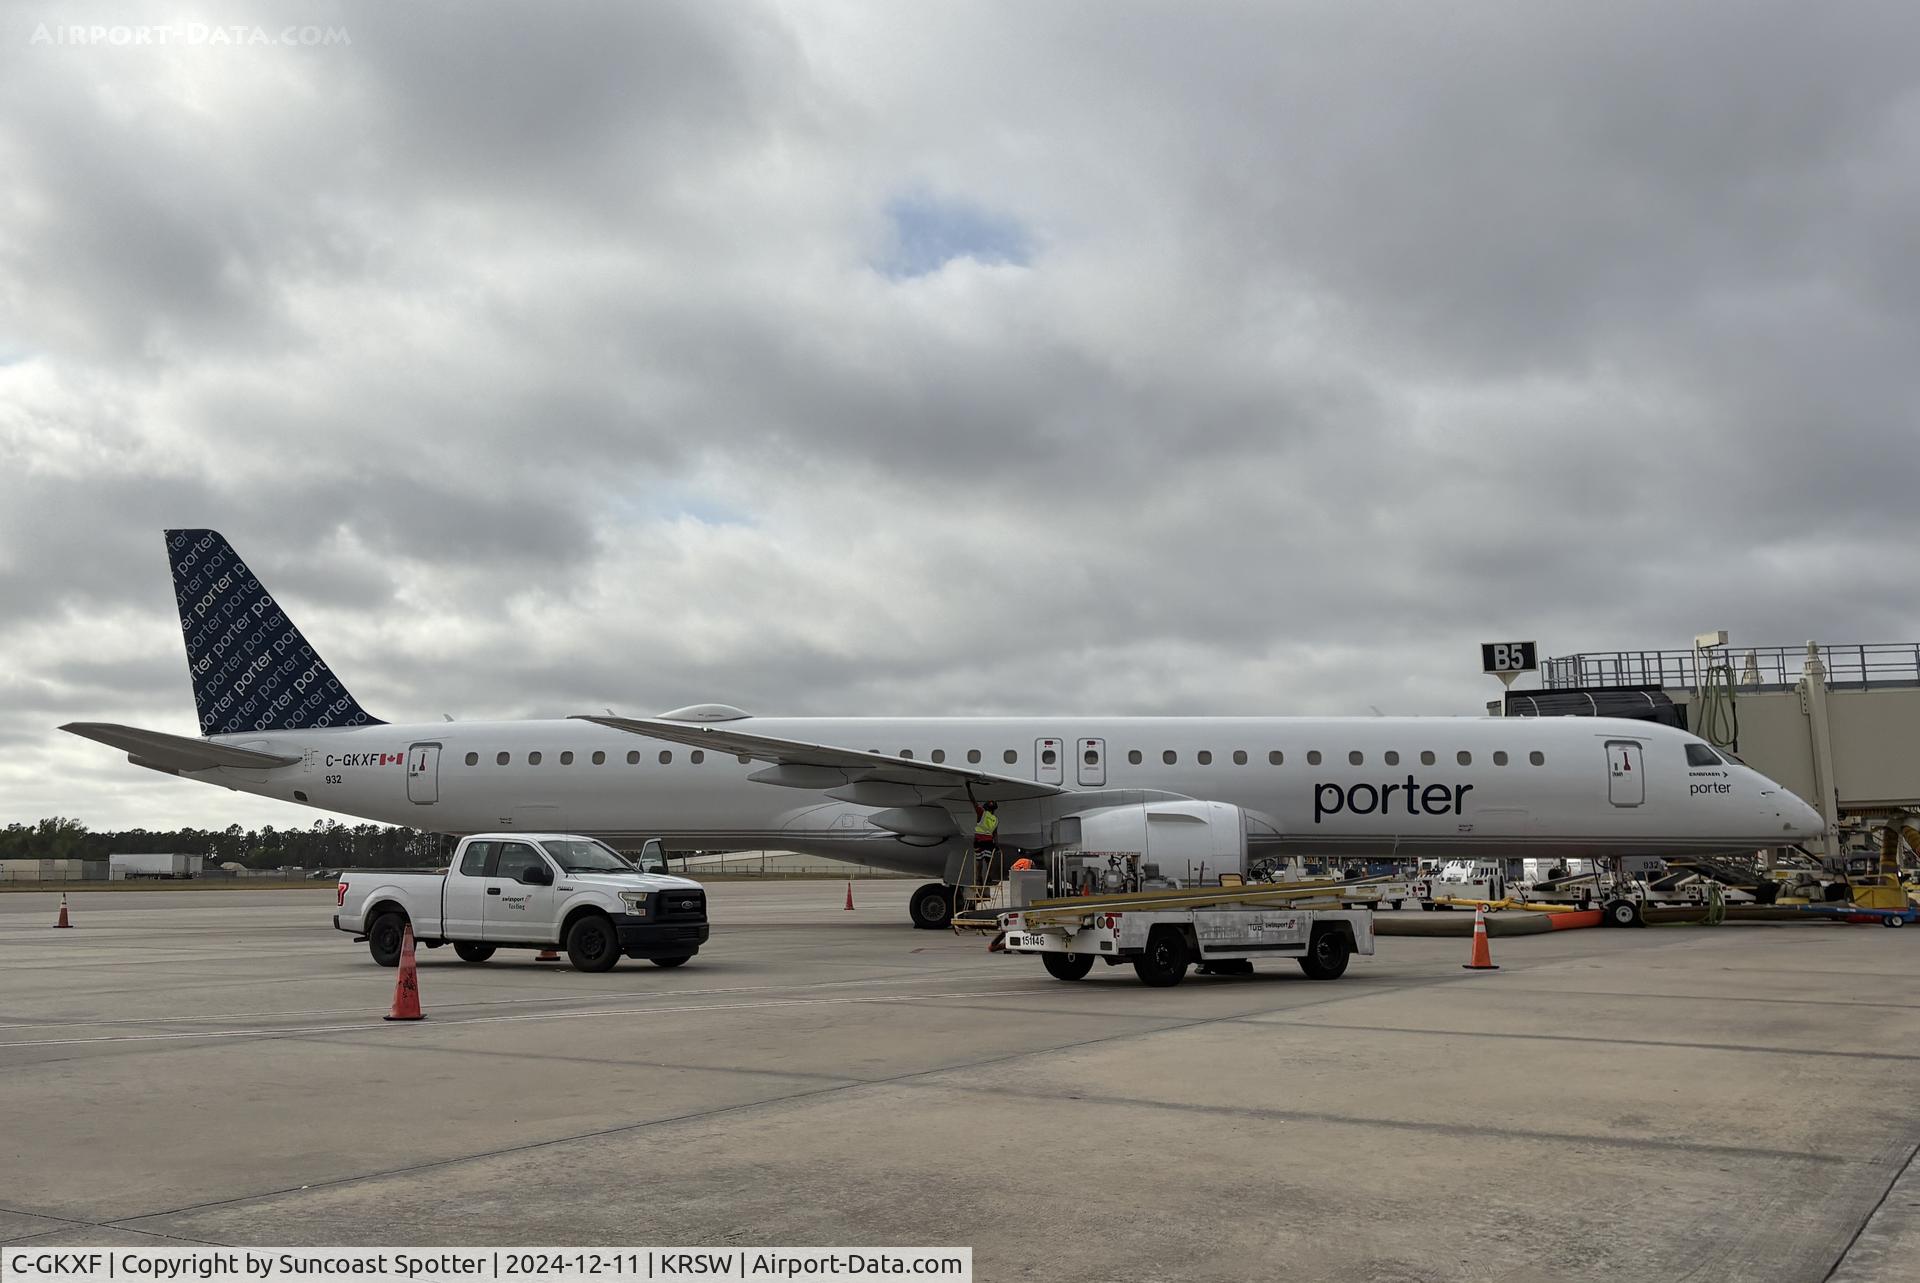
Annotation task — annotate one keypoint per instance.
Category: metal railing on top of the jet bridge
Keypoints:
(1756, 667)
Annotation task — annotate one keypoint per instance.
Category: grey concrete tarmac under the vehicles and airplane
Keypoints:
(1673, 1103)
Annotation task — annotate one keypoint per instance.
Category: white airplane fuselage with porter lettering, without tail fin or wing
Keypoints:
(1564, 788)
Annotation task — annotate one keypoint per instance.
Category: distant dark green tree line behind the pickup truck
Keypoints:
(329, 844)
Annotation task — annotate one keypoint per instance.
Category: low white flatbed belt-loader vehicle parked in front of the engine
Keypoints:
(1163, 942)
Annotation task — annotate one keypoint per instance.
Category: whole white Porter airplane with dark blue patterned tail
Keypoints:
(1188, 792)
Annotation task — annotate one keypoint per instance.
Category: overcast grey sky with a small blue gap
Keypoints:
(942, 358)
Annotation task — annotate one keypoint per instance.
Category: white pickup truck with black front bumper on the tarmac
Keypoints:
(531, 892)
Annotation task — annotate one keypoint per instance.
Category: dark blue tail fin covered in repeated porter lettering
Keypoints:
(252, 669)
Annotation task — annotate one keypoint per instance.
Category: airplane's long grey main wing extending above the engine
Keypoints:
(828, 767)
